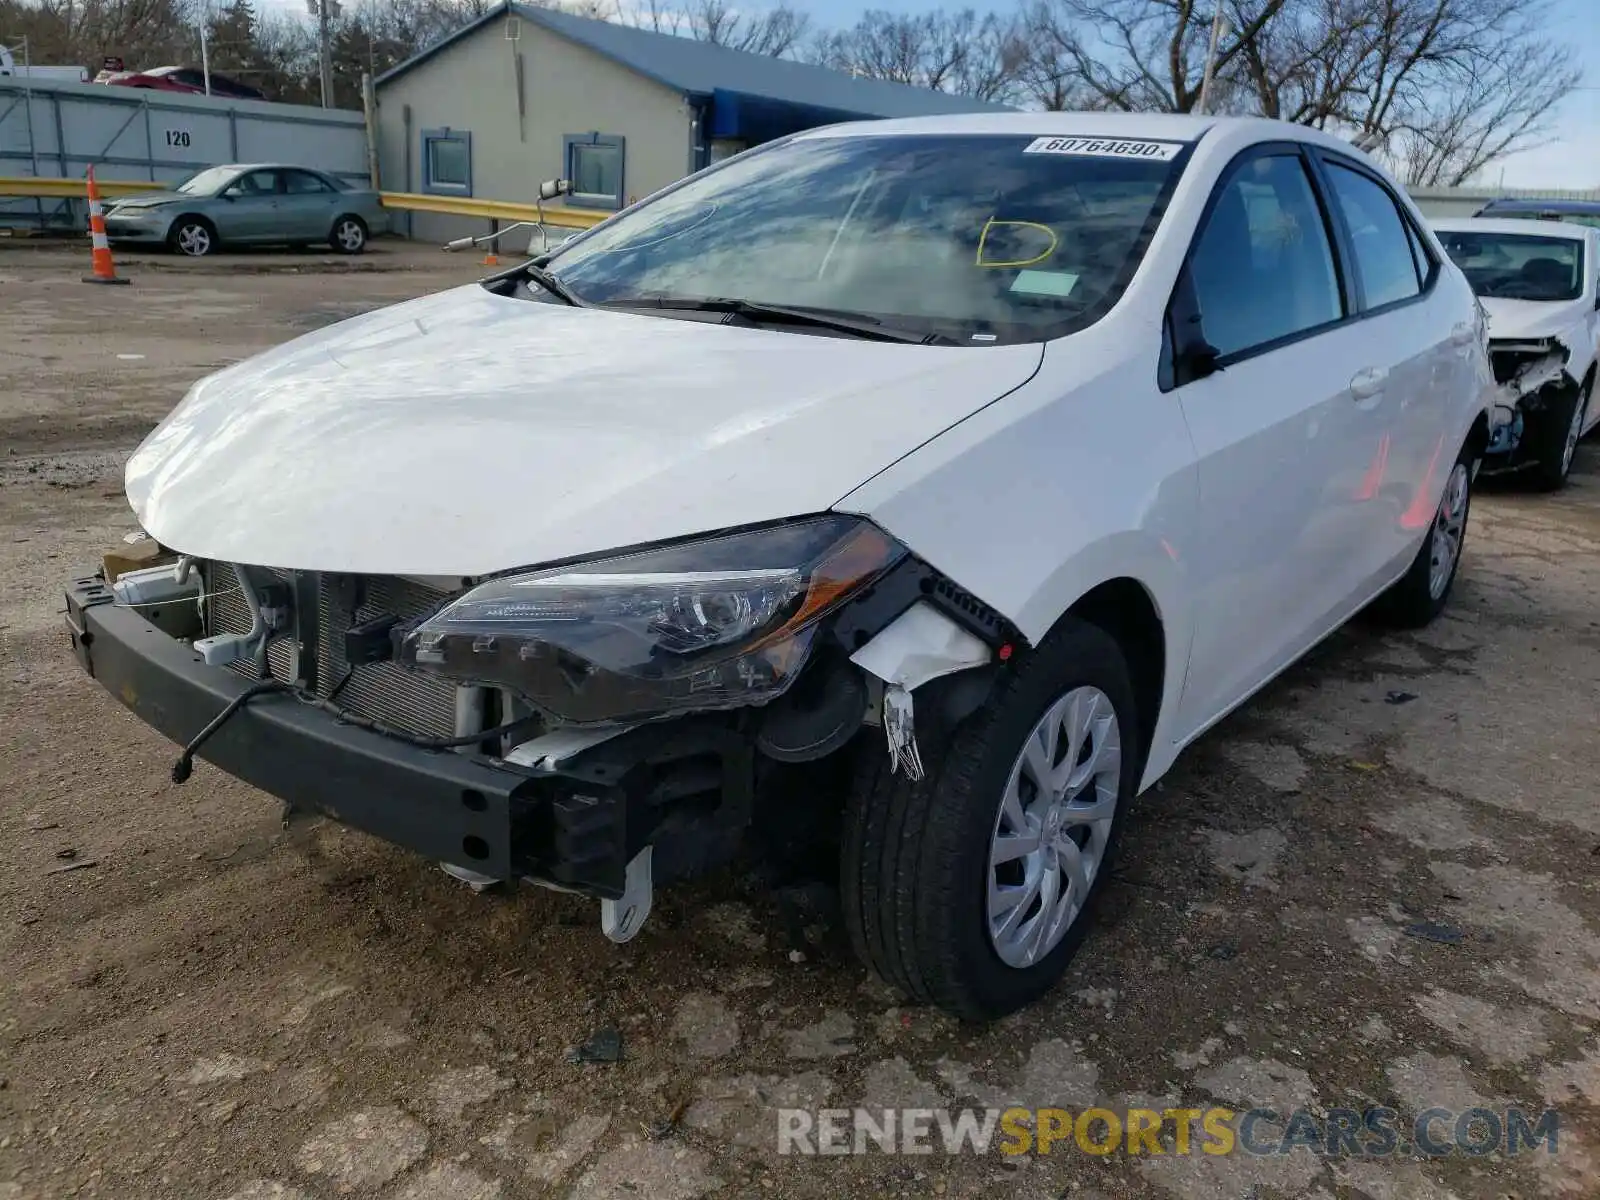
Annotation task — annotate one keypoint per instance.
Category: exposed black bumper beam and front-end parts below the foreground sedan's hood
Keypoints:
(319, 689)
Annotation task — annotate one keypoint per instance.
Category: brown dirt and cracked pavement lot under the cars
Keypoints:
(1335, 902)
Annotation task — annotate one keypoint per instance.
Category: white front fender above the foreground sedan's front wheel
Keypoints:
(1060, 487)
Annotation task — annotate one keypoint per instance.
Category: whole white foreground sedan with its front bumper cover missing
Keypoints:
(988, 460)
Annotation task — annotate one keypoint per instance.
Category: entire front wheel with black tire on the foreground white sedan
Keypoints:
(972, 889)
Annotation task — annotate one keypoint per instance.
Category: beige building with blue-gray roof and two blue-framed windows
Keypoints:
(529, 94)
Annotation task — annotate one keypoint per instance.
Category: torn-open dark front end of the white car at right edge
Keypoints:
(1534, 402)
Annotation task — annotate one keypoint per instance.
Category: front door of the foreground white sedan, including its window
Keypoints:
(1281, 442)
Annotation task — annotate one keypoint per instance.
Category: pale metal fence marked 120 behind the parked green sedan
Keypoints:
(57, 130)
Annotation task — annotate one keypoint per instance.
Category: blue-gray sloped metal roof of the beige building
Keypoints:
(702, 70)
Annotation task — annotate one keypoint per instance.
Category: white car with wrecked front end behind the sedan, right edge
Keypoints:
(1540, 287)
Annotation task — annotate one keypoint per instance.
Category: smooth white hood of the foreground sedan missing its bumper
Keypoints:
(468, 433)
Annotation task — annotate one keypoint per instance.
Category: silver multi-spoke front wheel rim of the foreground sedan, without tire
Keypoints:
(1054, 826)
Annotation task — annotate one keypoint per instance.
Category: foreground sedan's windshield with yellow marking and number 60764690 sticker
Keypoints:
(986, 239)
